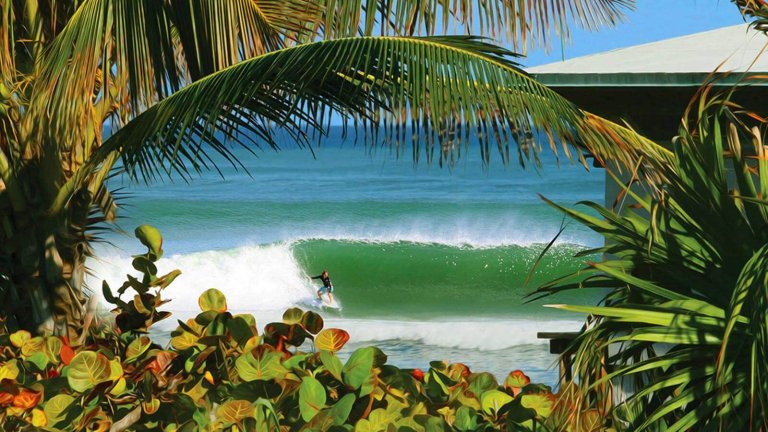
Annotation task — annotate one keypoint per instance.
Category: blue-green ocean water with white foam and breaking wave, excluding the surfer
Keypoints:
(428, 263)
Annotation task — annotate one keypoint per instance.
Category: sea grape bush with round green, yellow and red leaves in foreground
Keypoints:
(220, 373)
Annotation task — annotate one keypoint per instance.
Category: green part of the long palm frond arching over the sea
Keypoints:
(426, 93)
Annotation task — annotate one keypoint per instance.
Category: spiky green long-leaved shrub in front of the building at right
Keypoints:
(681, 336)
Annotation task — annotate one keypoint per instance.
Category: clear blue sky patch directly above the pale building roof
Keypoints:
(652, 20)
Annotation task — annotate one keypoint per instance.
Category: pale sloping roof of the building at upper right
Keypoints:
(680, 61)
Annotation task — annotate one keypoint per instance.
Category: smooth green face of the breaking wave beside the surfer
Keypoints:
(405, 279)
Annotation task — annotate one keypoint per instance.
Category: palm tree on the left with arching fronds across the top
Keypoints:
(178, 80)
